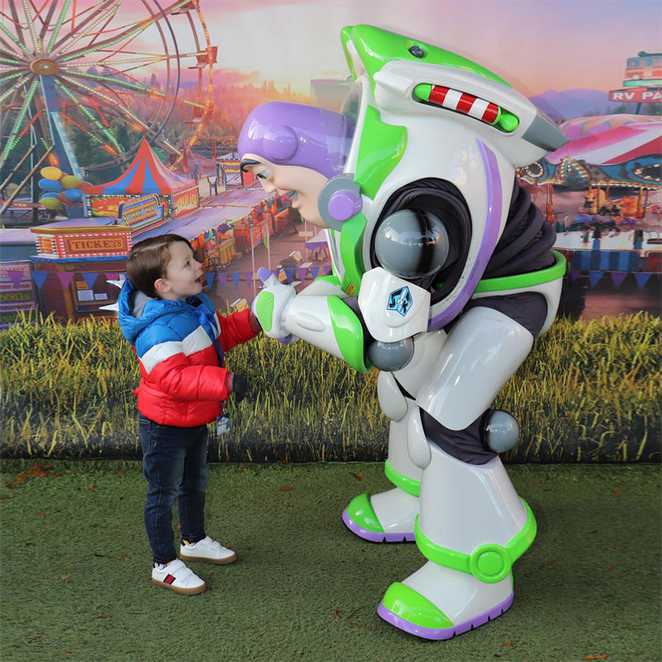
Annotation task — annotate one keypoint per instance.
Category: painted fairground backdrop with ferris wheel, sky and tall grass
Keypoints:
(186, 79)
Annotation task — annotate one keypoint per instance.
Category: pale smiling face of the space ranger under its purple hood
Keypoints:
(303, 185)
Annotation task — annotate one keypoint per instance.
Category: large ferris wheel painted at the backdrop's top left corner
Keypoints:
(81, 81)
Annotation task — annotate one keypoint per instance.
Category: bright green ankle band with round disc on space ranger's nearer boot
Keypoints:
(488, 563)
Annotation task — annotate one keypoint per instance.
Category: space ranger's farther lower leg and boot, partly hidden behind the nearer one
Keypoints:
(389, 516)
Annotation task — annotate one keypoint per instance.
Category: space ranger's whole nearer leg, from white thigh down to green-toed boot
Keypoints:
(472, 525)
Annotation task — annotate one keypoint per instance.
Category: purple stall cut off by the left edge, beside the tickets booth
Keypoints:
(16, 290)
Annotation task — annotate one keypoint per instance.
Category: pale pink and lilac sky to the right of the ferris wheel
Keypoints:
(536, 46)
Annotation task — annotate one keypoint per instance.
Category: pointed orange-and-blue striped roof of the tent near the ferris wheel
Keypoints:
(146, 174)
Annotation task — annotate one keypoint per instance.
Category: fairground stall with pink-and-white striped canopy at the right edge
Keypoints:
(610, 167)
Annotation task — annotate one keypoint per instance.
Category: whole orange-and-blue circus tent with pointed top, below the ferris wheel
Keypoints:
(145, 175)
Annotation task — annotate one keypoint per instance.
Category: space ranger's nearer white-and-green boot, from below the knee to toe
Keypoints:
(472, 528)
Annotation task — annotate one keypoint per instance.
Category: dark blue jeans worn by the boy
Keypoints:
(175, 466)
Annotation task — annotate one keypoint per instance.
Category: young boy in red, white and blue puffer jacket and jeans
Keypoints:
(179, 340)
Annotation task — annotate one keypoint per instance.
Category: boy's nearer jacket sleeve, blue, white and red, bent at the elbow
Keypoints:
(161, 353)
